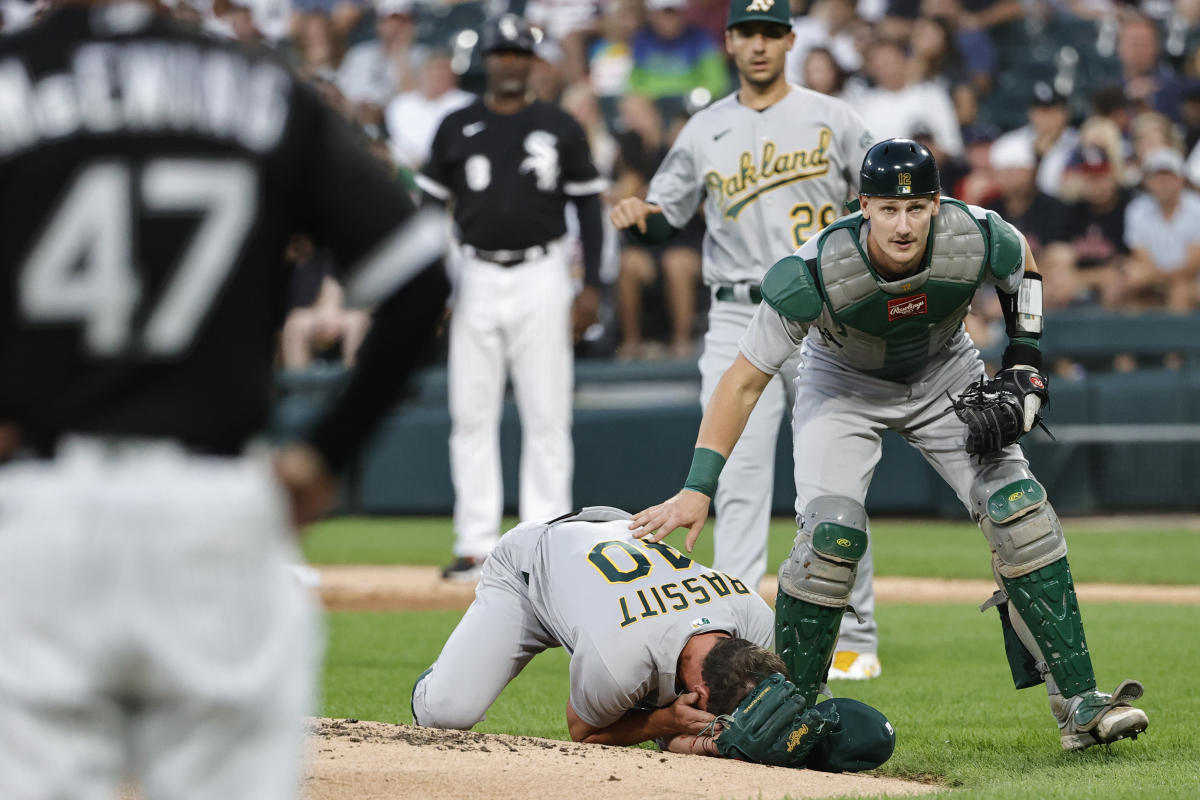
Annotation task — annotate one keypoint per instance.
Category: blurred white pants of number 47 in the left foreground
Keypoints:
(151, 628)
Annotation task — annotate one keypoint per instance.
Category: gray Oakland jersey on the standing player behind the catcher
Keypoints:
(770, 181)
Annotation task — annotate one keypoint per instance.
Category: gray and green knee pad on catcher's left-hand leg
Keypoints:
(825, 557)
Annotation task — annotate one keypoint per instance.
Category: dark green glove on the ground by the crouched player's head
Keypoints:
(771, 726)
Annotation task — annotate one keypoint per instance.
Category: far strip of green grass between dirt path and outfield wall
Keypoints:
(943, 550)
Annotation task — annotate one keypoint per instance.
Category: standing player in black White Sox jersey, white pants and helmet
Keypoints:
(509, 165)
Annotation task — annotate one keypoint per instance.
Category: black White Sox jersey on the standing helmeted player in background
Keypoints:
(509, 175)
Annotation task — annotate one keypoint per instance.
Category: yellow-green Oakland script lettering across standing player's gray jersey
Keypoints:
(771, 172)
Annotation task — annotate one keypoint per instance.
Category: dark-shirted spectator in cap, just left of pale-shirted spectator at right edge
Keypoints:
(1095, 230)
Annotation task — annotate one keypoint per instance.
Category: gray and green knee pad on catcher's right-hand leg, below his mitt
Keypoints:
(1021, 526)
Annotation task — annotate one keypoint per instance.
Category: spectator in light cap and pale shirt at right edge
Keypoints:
(1163, 237)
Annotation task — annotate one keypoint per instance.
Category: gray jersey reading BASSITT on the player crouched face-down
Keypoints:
(625, 609)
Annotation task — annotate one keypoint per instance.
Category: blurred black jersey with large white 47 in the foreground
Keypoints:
(151, 178)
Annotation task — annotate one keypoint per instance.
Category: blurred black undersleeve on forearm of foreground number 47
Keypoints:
(401, 333)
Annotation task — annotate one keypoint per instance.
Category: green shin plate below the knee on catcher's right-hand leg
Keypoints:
(1046, 600)
